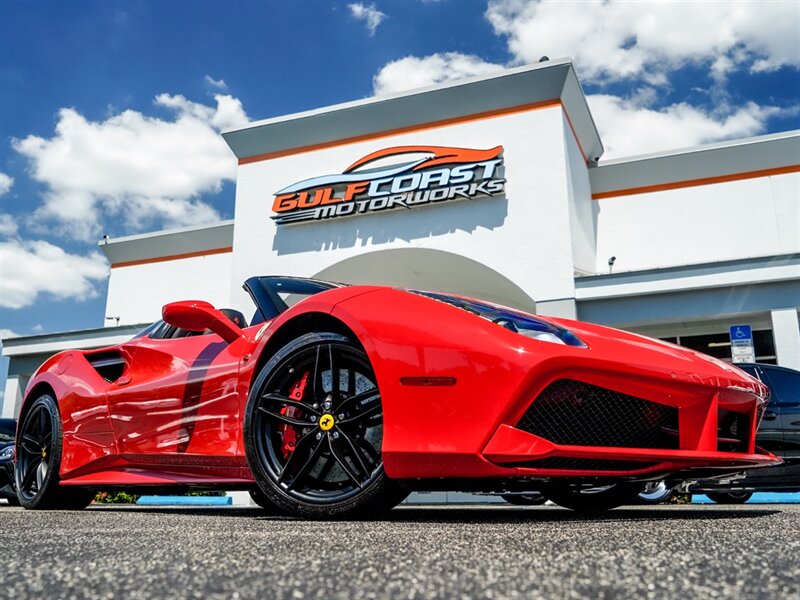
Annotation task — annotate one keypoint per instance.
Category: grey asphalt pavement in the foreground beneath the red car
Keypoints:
(691, 551)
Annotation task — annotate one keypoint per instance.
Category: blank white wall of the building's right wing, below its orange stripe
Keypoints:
(707, 223)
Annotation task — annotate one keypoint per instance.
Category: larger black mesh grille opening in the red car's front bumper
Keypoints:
(578, 414)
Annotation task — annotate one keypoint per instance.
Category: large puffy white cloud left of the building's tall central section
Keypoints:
(133, 166)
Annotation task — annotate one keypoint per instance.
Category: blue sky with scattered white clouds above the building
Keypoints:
(96, 96)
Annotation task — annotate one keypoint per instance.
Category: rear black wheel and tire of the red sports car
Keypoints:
(38, 461)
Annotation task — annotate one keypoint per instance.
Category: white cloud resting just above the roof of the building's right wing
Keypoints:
(628, 128)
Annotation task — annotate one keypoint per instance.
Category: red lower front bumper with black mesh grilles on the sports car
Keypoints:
(590, 428)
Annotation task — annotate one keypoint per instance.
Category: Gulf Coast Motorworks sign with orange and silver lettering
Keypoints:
(400, 177)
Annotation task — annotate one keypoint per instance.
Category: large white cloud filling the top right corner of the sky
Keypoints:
(614, 40)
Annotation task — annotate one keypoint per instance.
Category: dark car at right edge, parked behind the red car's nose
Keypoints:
(779, 433)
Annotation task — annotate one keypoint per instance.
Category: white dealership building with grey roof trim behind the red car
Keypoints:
(491, 187)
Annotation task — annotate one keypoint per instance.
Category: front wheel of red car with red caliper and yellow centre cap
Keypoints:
(317, 455)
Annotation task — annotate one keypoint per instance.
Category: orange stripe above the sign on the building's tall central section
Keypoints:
(412, 128)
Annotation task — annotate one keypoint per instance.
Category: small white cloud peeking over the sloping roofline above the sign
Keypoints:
(415, 72)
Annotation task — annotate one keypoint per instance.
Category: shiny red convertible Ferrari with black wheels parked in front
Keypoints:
(336, 401)
